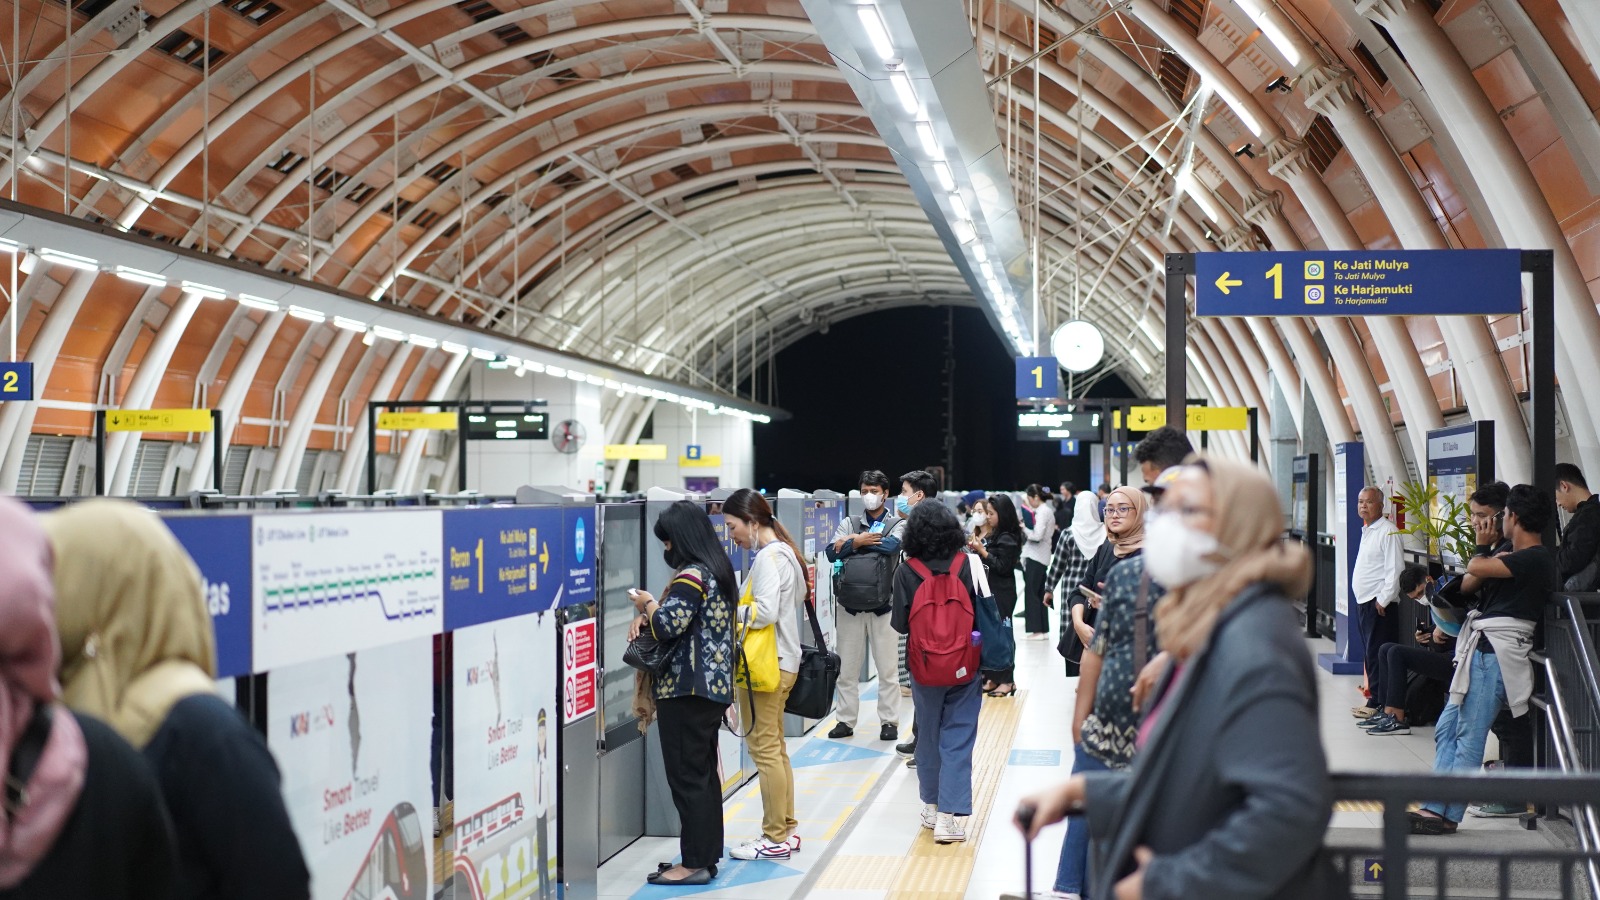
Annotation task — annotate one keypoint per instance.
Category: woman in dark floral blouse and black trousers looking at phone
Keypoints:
(697, 688)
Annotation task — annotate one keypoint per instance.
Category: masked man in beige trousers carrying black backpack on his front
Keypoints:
(866, 553)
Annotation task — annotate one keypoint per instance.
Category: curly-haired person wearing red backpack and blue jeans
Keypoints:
(934, 608)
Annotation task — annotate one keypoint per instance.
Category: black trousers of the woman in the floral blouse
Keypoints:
(689, 747)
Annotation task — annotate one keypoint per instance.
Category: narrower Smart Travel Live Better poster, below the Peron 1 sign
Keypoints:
(506, 736)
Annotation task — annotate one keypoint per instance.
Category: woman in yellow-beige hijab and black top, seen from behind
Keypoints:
(138, 653)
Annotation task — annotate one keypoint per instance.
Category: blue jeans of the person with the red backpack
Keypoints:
(945, 755)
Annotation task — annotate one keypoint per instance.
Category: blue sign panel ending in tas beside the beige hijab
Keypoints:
(220, 547)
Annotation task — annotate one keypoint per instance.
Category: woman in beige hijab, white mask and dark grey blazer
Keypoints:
(1230, 795)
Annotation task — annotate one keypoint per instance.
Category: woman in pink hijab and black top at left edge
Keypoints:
(89, 819)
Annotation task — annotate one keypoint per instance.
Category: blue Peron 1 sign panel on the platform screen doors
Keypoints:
(502, 563)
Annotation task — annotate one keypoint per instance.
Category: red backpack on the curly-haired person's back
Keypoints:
(940, 649)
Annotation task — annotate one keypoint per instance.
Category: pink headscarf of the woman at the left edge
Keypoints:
(30, 656)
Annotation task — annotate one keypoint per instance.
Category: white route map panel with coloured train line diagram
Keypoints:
(327, 584)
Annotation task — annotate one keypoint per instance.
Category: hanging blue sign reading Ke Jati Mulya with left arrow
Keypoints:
(1367, 283)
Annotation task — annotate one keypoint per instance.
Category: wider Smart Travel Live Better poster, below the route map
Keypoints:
(351, 736)
